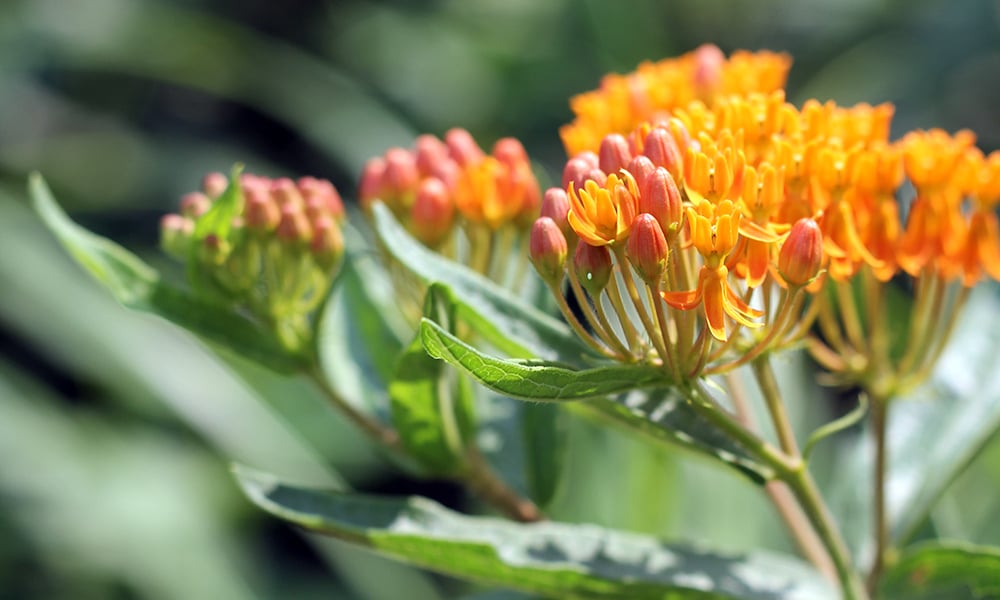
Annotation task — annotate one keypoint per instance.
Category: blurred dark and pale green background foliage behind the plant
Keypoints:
(116, 430)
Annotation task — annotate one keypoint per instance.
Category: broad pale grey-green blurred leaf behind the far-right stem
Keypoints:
(933, 434)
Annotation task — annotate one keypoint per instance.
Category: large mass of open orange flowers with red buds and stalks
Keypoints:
(748, 219)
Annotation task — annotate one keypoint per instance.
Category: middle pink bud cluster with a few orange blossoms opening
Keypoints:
(446, 190)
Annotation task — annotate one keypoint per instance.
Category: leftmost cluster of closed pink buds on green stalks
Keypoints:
(270, 247)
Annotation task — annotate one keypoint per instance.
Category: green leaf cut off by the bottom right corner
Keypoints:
(953, 571)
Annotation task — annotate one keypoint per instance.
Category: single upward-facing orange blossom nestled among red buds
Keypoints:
(603, 216)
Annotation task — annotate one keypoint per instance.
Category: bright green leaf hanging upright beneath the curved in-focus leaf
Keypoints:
(432, 409)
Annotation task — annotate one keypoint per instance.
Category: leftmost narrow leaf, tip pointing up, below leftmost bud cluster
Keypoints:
(138, 286)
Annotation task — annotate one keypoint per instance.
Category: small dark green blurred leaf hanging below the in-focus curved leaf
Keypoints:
(543, 430)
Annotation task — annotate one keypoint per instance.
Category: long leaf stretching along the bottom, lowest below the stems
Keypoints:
(552, 559)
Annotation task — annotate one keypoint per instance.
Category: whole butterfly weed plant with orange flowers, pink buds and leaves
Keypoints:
(704, 226)
